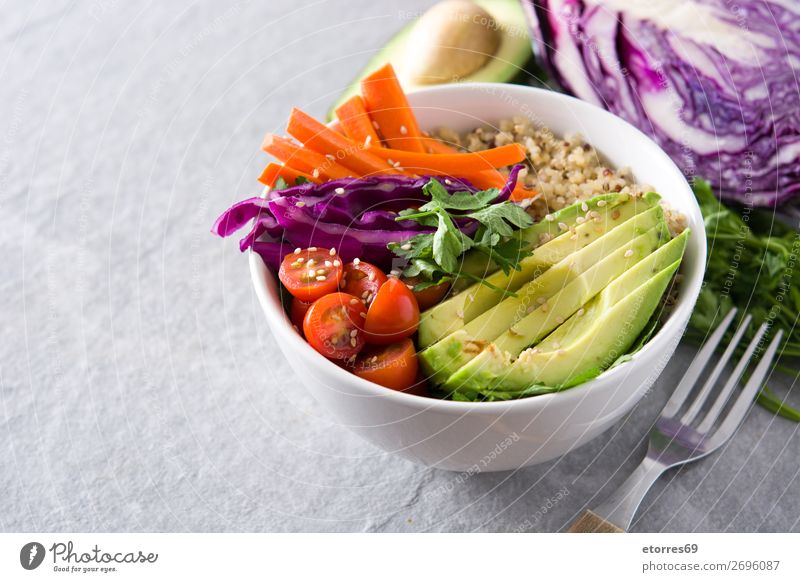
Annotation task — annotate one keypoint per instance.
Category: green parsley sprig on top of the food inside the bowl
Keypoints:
(435, 256)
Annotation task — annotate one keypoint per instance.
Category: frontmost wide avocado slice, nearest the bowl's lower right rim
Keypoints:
(581, 347)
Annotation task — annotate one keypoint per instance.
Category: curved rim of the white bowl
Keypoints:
(674, 326)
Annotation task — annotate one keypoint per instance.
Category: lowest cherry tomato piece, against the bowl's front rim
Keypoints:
(393, 366)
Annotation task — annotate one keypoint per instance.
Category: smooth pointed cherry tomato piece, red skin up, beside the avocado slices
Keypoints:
(393, 314)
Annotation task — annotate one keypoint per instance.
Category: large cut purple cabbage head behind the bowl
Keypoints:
(714, 82)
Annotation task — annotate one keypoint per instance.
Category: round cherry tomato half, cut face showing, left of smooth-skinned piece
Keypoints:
(332, 326)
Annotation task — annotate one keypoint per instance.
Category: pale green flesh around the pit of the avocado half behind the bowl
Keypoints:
(507, 62)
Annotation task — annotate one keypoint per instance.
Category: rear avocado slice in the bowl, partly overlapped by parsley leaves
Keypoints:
(451, 315)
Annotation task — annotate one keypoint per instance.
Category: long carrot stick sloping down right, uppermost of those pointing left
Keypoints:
(324, 140)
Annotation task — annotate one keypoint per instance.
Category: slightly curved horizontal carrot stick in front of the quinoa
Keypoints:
(455, 164)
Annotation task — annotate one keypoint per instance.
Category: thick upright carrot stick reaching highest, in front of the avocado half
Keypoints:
(389, 109)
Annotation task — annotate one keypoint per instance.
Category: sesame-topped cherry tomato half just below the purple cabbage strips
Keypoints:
(311, 273)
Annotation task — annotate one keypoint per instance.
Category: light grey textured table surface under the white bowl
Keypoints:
(140, 389)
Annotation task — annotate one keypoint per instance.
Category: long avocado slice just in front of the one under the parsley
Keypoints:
(443, 358)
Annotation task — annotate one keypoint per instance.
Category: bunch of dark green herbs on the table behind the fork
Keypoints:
(754, 264)
